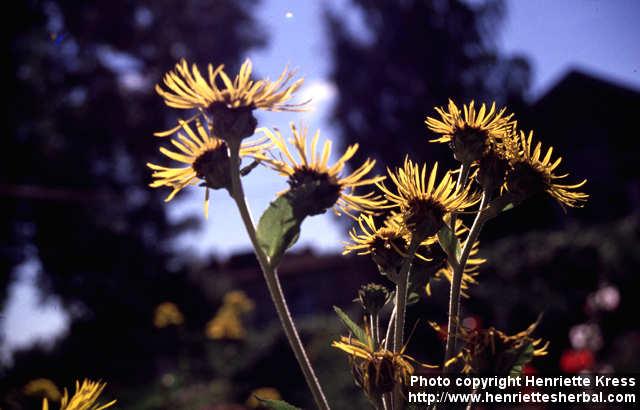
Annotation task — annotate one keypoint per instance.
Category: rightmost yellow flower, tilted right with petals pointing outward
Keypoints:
(531, 173)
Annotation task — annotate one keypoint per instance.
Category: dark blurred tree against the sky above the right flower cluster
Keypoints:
(416, 55)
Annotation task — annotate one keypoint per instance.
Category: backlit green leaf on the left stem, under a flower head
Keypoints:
(278, 229)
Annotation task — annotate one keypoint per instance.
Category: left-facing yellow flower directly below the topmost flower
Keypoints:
(206, 157)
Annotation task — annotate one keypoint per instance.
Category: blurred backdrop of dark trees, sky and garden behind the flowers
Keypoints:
(100, 278)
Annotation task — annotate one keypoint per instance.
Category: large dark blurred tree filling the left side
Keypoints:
(73, 182)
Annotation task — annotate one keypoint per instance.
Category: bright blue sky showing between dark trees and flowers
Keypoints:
(598, 36)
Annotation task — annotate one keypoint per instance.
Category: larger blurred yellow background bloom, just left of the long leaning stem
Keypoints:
(227, 323)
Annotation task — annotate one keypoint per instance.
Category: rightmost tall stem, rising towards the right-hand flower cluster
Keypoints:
(456, 282)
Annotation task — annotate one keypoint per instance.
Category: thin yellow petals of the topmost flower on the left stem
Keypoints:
(188, 89)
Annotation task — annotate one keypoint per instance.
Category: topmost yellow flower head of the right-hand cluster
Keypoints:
(470, 133)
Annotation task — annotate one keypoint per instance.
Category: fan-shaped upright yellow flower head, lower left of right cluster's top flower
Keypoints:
(424, 203)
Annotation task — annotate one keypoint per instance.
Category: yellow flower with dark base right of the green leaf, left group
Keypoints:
(316, 186)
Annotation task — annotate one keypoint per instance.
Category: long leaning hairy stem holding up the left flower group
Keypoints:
(273, 282)
